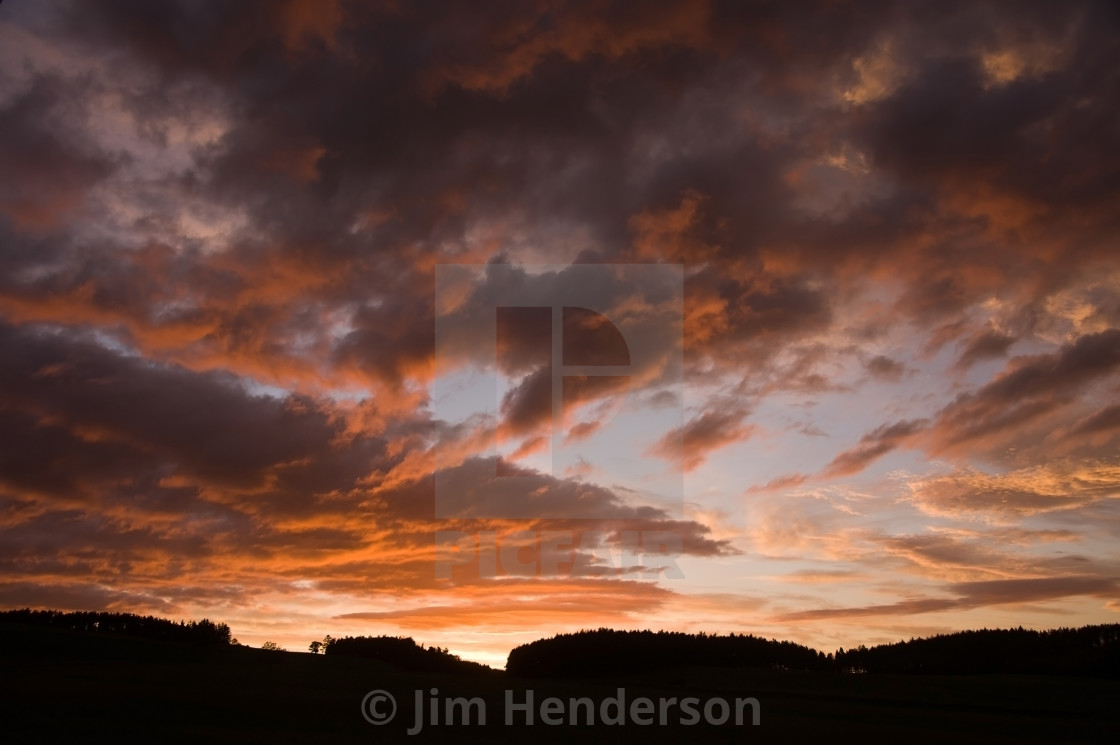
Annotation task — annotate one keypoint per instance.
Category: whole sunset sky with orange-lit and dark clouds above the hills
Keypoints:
(274, 349)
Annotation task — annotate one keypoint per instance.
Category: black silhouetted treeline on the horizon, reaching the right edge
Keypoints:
(1087, 651)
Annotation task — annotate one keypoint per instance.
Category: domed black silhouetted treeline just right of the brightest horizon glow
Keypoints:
(608, 651)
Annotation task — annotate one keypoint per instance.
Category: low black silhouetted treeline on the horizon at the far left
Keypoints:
(193, 632)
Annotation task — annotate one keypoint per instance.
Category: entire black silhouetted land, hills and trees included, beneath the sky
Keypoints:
(76, 678)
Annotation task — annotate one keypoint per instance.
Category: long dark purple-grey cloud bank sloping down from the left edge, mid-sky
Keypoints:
(206, 422)
